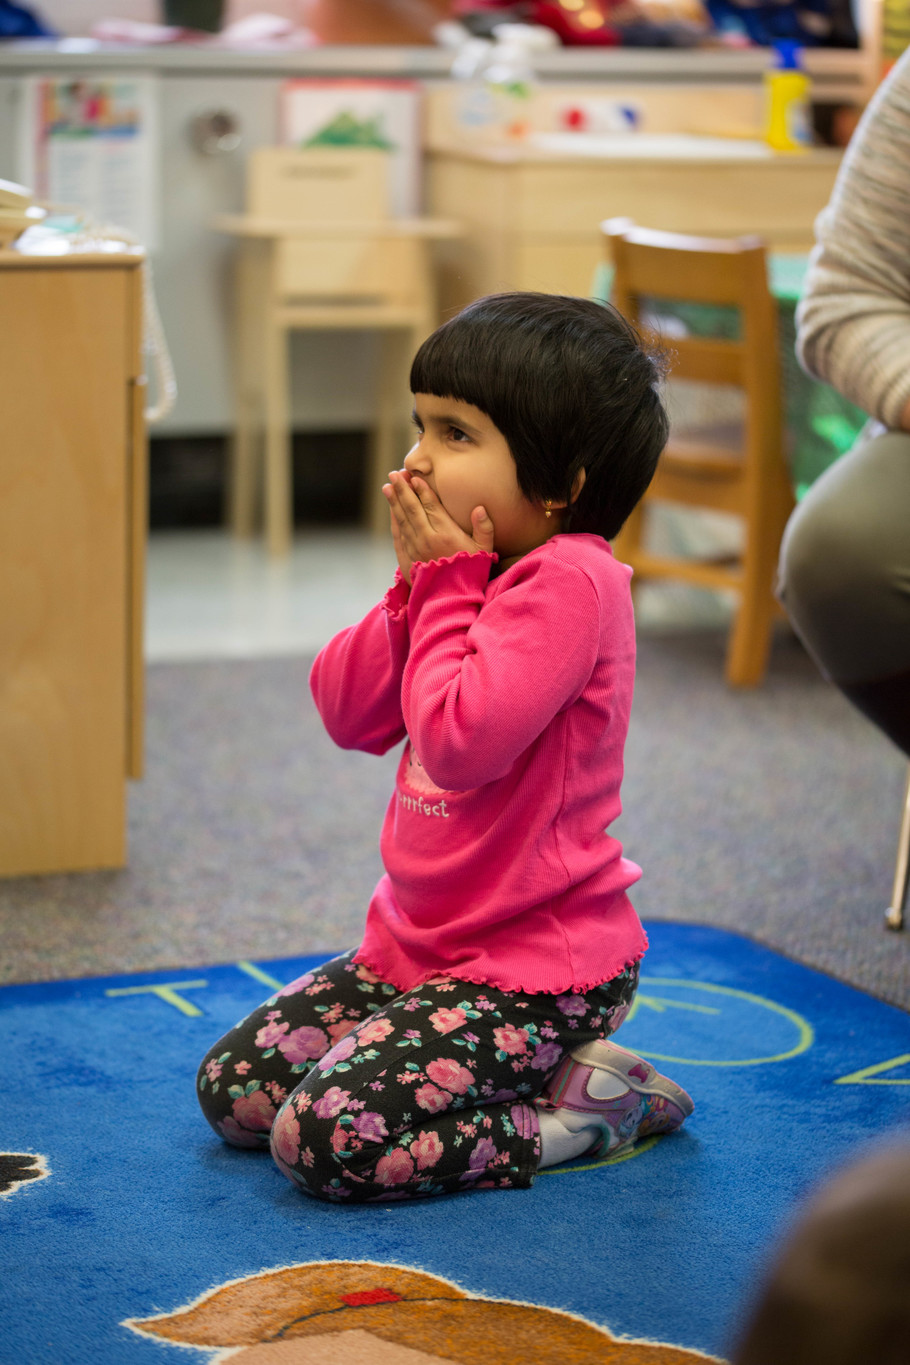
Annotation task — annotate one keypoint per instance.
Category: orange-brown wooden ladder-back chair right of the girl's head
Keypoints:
(748, 480)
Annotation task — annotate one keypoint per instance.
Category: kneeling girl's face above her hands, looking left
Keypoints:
(467, 463)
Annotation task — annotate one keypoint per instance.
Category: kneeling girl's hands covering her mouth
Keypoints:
(422, 529)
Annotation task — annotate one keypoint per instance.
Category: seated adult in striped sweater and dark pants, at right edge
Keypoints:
(845, 560)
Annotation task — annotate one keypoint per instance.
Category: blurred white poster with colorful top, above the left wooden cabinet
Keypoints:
(91, 147)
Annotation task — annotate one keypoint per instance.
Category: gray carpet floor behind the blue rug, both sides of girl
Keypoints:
(770, 813)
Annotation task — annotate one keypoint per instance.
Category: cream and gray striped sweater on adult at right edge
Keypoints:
(855, 319)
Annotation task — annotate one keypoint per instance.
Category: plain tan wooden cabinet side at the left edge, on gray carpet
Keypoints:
(73, 517)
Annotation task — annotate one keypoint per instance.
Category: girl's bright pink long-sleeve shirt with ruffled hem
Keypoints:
(514, 694)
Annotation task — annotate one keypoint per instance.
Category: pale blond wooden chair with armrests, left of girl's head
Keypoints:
(321, 252)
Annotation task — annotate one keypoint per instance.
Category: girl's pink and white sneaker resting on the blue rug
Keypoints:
(604, 1086)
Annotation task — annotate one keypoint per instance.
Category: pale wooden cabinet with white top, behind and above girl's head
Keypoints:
(533, 218)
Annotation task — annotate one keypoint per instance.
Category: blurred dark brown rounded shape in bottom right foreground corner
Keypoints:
(840, 1292)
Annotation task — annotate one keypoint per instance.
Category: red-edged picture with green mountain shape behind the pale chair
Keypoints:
(361, 114)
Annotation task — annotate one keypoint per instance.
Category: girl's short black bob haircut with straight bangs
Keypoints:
(571, 387)
